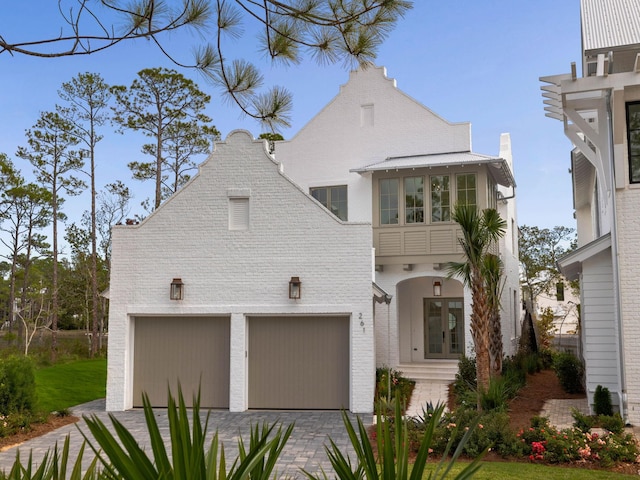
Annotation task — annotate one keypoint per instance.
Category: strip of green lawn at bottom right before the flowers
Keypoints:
(518, 471)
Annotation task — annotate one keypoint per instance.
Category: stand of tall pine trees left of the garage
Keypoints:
(40, 288)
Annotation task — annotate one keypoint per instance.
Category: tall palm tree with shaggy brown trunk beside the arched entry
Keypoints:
(480, 233)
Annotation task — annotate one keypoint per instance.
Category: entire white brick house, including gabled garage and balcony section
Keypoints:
(371, 264)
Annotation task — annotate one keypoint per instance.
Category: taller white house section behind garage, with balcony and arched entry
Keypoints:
(375, 154)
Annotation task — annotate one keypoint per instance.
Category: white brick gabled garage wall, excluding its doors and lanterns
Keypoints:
(235, 235)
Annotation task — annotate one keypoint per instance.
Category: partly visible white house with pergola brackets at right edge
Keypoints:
(600, 111)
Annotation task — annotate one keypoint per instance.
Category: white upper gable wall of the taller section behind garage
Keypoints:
(367, 122)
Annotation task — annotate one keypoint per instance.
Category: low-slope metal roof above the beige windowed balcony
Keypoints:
(498, 166)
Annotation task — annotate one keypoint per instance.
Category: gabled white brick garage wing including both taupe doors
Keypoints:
(235, 236)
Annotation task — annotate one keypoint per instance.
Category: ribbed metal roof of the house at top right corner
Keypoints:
(610, 23)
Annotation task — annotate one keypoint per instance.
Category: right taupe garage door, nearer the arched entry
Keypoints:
(299, 362)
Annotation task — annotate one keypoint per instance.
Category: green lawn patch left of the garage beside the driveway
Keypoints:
(66, 385)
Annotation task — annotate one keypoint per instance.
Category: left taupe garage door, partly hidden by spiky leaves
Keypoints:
(193, 350)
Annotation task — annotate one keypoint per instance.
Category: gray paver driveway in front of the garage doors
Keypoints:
(305, 448)
